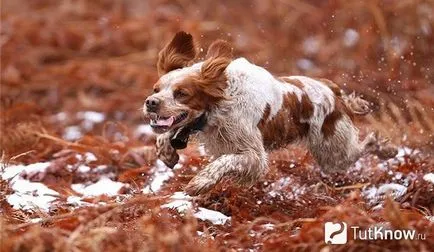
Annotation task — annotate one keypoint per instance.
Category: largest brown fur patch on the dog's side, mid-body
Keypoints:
(286, 126)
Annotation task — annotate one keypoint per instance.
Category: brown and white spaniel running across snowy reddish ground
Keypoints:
(239, 111)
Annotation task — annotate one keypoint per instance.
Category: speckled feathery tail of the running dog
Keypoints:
(355, 104)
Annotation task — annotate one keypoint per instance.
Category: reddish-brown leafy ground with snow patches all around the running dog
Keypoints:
(78, 168)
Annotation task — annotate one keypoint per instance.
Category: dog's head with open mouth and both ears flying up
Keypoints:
(186, 91)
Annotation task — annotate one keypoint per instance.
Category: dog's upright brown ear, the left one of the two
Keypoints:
(177, 54)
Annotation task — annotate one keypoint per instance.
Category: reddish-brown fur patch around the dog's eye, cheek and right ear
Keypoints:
(205, 90)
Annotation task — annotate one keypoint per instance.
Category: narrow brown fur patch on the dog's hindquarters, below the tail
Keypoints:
(329, 126)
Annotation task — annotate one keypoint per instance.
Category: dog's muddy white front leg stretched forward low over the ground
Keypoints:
(247, 167)
